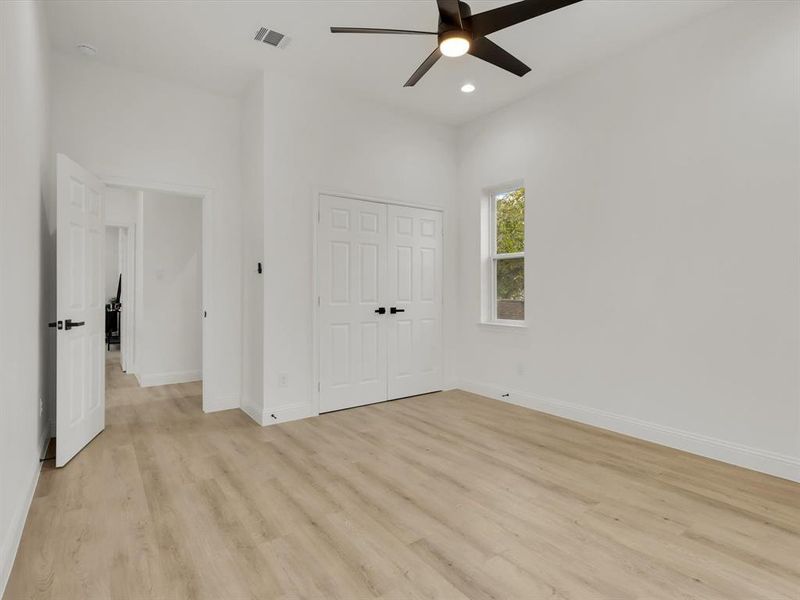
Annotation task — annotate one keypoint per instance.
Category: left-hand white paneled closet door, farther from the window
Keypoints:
(352, 269)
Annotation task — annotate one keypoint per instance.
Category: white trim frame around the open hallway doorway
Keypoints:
(206, 196)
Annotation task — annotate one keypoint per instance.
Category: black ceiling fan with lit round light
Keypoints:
(460, 32)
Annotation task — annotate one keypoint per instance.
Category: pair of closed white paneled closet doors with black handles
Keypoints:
(379, 270)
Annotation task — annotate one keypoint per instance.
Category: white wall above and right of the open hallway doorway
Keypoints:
(118, 123)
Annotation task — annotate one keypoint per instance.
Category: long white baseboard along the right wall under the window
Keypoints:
(765, 461)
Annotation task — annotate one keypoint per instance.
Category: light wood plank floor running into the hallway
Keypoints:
(443, 496)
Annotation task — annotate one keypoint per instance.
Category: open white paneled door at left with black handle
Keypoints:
(80, 399)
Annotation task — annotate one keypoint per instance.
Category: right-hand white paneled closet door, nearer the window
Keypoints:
(415, 288)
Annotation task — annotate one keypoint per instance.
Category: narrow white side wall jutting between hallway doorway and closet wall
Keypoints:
(252, 134)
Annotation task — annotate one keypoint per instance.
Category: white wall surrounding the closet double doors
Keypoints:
(336, 143)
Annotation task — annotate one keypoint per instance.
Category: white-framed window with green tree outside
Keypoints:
(507, 255)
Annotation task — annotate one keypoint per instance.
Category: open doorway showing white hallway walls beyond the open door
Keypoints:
(154, 329)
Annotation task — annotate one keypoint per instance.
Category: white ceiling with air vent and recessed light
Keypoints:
(210, 44)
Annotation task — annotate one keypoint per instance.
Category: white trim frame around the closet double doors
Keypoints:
(318, 193)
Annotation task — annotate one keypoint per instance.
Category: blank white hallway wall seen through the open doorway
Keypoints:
(169, 330)
